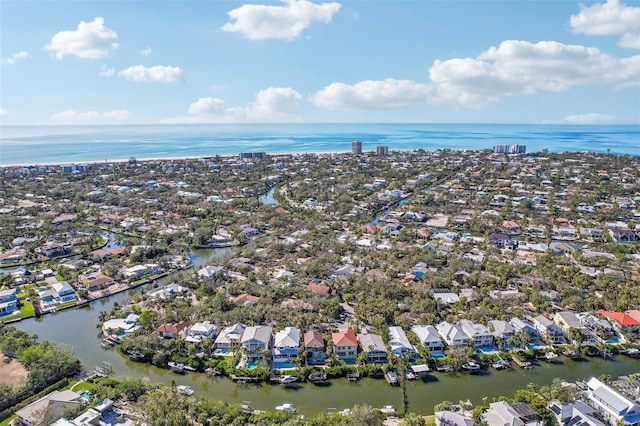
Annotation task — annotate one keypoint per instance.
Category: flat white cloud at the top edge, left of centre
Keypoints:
(261, 22)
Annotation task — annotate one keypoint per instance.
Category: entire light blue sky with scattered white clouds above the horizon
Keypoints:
(117, 62)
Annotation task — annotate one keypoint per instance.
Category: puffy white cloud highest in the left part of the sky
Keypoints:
(92, 40)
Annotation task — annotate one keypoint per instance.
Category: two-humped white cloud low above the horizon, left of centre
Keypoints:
(275, 104)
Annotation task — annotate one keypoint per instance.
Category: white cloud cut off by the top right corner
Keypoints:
(609, 18)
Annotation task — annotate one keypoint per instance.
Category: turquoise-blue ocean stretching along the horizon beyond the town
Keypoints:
(29, 145)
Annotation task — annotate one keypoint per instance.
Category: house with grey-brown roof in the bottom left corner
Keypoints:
(49, 408)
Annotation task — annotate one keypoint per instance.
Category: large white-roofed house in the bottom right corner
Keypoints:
(612, 406)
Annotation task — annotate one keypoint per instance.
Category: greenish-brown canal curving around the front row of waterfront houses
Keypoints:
(77, 328)
